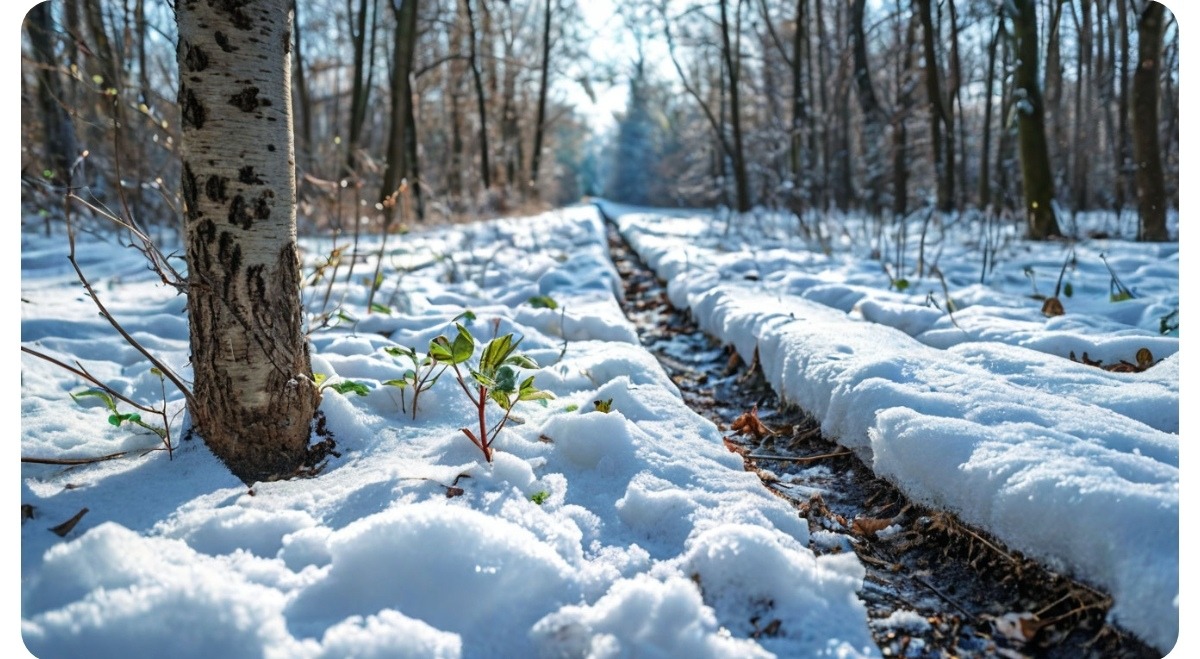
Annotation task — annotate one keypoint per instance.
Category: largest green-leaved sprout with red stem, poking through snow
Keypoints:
(494, 379)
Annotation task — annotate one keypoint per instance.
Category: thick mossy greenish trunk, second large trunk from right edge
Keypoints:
(1036, 181)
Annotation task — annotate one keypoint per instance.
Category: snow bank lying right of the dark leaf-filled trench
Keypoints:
(1051, 468)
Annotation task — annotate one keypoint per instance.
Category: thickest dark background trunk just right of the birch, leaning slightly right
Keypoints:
(399, 167)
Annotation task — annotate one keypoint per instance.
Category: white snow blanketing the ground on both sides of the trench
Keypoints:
(629, 534)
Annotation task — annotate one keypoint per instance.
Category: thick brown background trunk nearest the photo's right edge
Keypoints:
(1148, 158)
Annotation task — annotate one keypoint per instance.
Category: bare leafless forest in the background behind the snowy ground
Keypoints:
(457, 110)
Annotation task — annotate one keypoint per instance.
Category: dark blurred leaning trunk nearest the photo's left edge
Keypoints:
(59, 148)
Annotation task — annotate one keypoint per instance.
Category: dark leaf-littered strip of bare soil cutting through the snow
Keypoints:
(959, 592)
